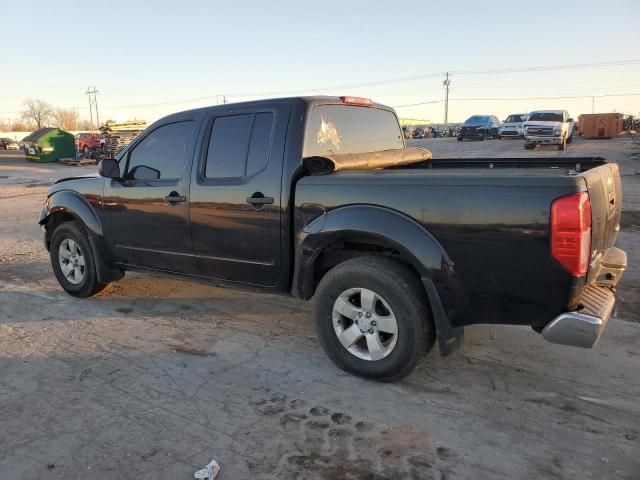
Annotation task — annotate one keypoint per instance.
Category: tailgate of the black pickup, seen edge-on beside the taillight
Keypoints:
(605, 194)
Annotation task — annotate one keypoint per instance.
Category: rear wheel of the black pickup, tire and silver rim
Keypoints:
(372, 318)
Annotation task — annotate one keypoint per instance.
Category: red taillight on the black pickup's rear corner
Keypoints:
(571, 232)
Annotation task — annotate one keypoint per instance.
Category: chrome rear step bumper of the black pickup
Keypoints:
(584, 327)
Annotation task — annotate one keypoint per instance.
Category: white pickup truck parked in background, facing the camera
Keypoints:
(548, 127)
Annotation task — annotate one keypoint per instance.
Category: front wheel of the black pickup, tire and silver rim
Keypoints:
(73, 262)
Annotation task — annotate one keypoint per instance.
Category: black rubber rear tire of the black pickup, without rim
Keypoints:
(406, 298)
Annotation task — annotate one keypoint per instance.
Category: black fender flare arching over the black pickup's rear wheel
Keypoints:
(393, 229)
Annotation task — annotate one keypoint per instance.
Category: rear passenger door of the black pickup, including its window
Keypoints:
(236, 208)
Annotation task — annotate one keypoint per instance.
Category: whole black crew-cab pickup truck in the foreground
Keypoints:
(396, 258)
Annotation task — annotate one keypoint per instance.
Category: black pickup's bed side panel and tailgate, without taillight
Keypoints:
(491, 217)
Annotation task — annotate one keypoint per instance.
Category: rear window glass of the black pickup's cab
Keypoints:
(343, 129)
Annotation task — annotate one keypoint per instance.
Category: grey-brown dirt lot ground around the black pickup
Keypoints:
(155, 377)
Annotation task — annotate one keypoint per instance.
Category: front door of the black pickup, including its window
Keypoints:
(147, 212)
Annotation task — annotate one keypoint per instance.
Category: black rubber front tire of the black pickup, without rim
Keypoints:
(89, 284)
